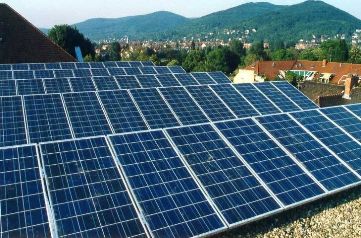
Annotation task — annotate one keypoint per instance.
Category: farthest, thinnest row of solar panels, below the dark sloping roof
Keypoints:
(76, 65)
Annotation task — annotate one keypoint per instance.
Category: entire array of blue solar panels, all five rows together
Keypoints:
(129, 149)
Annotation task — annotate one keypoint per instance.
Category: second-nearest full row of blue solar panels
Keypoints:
(47, 117)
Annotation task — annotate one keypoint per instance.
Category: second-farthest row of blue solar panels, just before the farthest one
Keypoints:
(68, 73)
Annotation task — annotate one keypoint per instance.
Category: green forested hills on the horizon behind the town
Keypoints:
(271, 22)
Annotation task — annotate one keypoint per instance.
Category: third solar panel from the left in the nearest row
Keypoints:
(172, 203)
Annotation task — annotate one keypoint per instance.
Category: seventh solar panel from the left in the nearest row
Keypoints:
(335, 139)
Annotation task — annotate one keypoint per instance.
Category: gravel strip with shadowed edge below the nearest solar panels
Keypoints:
(336, 216)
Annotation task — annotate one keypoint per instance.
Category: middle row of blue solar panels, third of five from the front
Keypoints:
(64, 85)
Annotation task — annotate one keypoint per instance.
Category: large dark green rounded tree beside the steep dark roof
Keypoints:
(69, 37)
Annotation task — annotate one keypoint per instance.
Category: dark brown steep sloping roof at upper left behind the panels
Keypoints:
(21, 42)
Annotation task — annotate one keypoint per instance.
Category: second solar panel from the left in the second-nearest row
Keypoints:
(46, 118)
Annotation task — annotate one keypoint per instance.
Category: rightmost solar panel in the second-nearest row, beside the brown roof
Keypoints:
(295, 95)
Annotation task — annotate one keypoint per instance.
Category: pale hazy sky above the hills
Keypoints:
(46, 13)
